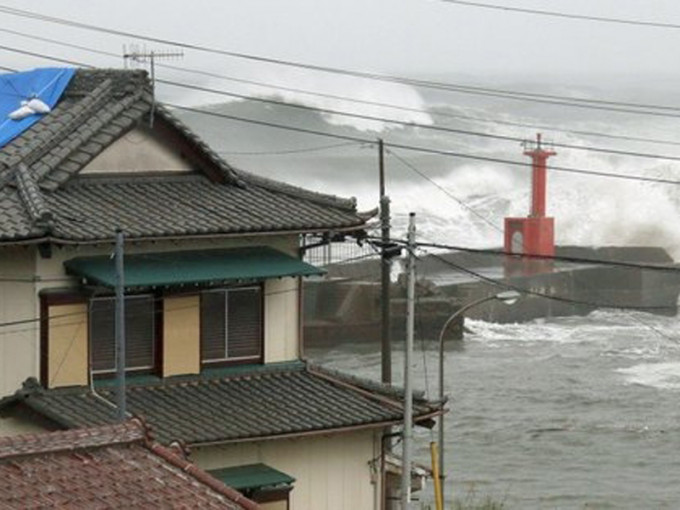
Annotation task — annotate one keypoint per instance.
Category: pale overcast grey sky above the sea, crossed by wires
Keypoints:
(412, 37)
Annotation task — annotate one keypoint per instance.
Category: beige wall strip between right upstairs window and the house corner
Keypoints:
(281, 320)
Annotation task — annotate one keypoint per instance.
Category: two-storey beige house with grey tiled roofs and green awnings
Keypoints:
(213, 295)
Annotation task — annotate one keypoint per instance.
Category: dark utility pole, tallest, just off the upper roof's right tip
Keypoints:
(385, 269)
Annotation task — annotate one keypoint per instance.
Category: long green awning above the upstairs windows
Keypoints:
(194, 267)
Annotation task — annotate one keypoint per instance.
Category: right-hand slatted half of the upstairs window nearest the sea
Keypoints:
(244, 323)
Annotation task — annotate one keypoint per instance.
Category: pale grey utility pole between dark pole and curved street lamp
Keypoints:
(408, 351)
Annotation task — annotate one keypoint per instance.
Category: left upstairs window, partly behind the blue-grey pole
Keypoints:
(139, 333)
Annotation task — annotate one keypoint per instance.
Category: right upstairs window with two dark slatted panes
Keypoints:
(231, 324)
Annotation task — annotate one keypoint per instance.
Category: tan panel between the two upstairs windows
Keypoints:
(181, 336)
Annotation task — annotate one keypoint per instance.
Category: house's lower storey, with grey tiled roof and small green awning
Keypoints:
(289, 435)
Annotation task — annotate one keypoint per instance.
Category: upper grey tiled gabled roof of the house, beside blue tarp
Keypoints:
(42, 195)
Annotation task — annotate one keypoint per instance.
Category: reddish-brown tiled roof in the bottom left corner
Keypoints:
(107, 467)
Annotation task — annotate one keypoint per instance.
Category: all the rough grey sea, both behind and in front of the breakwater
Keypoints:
(557, 413)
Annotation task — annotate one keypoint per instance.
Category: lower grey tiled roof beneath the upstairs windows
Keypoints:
(251, 403)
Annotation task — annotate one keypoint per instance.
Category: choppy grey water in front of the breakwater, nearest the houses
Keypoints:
(564, 413)
